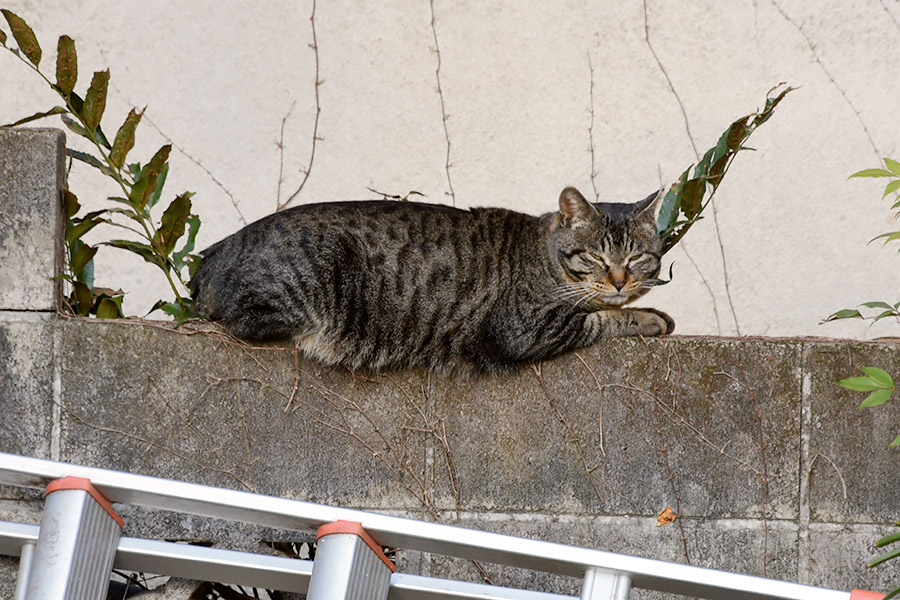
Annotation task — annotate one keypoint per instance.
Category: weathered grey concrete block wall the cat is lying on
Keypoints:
(770, 465)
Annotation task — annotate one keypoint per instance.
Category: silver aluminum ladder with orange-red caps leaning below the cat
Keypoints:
(79, 540)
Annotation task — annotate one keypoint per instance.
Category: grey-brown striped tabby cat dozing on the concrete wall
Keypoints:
(388, 284)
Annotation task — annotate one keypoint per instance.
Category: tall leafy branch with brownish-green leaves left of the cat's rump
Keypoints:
(141, 186)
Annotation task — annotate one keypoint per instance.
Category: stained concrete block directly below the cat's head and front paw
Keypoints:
(615, 423)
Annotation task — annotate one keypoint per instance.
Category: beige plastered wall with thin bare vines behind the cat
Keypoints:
(220, 78)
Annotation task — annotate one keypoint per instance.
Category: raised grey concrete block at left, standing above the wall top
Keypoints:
(32, 176)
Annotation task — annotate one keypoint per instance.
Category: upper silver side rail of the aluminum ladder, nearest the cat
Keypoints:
(437, 538)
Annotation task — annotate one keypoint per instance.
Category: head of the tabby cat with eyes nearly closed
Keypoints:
(609, 254)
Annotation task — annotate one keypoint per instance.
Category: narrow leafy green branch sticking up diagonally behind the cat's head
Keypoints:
(685, 201)
